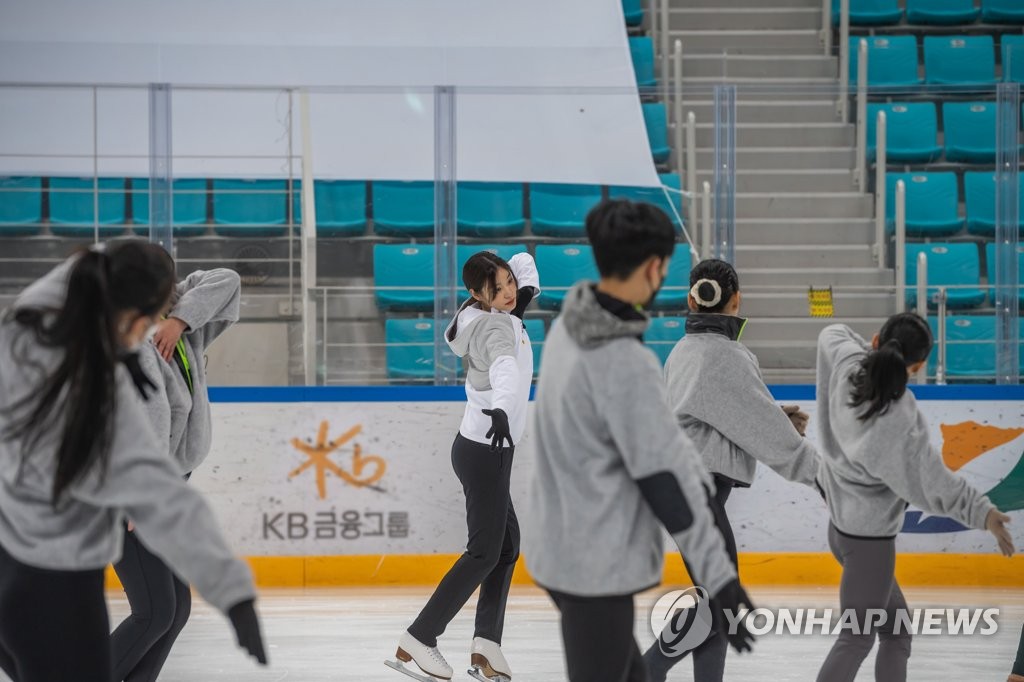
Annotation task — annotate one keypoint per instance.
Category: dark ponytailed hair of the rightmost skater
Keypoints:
(905, 340)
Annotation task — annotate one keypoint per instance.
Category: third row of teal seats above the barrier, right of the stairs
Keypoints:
(932, 208)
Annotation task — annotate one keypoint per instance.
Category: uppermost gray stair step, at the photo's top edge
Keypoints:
(746, 19)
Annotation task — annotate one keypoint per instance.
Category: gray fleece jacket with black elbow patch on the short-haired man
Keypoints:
(605, 431)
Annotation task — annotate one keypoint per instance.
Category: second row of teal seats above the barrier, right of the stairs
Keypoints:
(957, 267)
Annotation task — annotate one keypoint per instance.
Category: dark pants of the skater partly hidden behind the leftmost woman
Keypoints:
(160, 608)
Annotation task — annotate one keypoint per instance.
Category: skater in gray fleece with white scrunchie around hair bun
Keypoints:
(723, 405)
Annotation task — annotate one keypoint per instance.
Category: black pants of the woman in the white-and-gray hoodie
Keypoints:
(492, 550)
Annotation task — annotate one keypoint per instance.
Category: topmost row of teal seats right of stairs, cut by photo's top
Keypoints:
(936, 13)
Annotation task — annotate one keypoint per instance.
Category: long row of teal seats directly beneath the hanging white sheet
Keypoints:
(260, 208)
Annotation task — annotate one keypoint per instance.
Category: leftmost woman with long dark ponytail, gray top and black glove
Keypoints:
(78, 454)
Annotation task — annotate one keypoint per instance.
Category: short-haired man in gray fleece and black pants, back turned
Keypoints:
(613, 465)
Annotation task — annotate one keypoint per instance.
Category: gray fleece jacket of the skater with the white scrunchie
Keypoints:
(722, 404)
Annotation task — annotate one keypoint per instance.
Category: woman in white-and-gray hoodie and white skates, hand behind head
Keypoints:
(489, 333)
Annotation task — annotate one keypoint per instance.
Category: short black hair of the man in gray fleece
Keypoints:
(625, 234)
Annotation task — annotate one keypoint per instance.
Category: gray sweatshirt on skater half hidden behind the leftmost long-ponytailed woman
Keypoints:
(208, 303)
